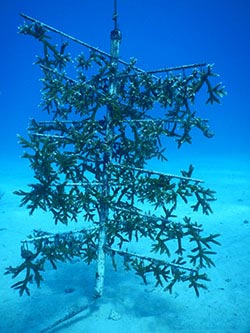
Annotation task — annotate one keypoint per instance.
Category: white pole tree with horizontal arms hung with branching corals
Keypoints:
(106, 120)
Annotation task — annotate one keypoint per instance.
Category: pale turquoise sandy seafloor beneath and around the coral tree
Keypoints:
(127, 305)
